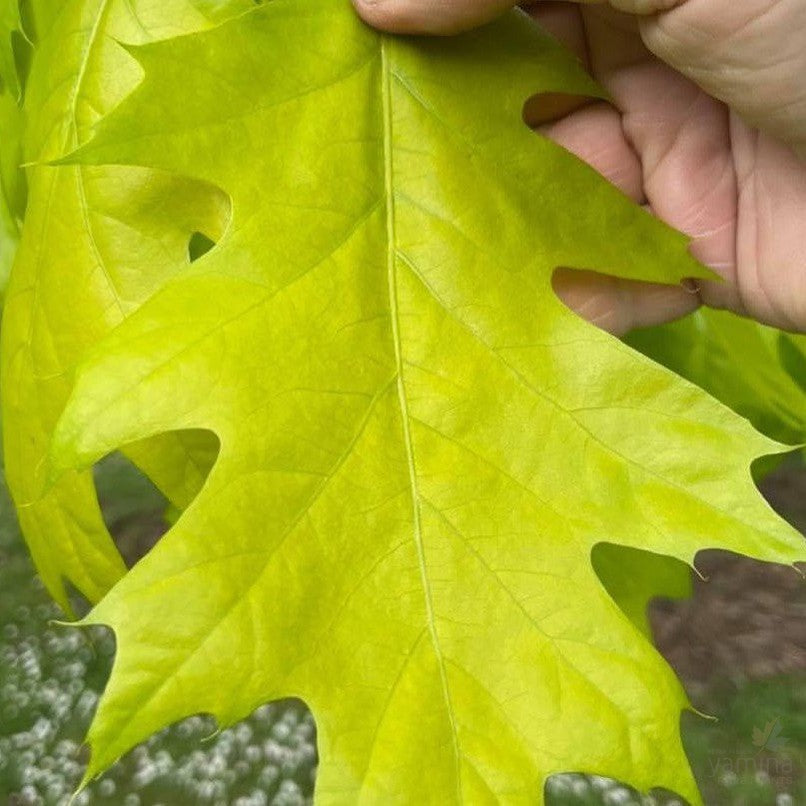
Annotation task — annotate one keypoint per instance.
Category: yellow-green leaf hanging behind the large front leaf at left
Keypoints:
(97, 242)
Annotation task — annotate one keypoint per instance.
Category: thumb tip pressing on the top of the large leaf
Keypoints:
(429, 16)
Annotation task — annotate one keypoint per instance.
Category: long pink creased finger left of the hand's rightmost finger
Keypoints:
(681, 136)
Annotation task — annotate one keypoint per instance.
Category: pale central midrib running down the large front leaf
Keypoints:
(387, 44)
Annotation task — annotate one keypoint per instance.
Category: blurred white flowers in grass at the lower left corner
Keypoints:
(51, 677)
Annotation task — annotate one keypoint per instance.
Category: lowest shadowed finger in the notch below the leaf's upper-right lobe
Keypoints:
(617, 305)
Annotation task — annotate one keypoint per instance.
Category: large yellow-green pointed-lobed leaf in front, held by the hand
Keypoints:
(420, 445)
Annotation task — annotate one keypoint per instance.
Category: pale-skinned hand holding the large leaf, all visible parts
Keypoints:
(707, 128)
